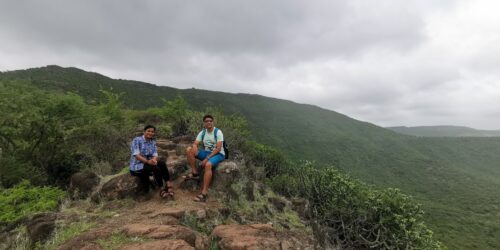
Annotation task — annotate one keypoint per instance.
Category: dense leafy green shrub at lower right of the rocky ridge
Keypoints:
(361, 215)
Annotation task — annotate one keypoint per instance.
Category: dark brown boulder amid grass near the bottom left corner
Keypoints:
(41, 226)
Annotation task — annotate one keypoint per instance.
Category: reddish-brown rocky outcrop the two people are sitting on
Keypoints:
(162, 224)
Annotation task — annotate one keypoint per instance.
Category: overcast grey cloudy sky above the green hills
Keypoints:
(387, 62)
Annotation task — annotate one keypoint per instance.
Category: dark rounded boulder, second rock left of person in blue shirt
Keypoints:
(82, 184)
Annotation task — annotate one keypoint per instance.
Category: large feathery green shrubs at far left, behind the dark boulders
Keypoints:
(55, 135)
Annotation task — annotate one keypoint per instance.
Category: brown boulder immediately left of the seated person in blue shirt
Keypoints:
(119, 187)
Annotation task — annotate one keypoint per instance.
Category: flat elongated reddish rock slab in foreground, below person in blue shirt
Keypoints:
(161, 232)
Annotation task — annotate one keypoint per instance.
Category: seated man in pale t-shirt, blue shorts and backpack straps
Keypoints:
(210, 155)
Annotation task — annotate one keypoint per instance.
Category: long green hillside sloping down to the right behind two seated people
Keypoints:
(457, 179)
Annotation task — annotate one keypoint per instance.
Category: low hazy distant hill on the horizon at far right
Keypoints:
(444, 131)
